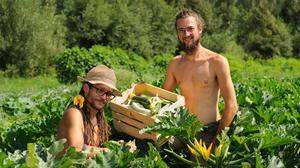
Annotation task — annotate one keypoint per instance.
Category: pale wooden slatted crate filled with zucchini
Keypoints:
(130, 121)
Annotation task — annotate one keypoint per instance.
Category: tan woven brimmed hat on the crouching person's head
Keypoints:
(101, 74)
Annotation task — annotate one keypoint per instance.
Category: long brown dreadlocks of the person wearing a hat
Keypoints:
(103, 126)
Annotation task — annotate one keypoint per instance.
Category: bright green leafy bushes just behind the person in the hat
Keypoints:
(77, 61)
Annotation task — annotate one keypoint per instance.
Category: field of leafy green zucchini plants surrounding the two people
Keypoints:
(265, 132)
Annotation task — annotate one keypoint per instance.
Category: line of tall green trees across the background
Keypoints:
(34, 32)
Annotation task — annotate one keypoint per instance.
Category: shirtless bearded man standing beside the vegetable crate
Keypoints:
(201, 75)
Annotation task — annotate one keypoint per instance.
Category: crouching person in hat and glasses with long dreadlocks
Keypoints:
(83, 123)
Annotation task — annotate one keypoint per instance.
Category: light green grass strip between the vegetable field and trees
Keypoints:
(241, 69)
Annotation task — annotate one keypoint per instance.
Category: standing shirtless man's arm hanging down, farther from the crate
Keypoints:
(227, 92)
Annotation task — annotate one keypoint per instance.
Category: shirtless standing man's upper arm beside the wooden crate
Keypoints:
(170, 81)
